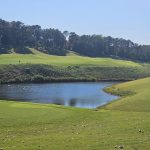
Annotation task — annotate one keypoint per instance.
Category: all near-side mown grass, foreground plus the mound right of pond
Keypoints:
(123, 123)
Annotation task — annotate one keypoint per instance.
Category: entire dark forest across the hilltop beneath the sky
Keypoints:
(17, 37)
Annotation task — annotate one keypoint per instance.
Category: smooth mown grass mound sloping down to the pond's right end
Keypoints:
(136, 96)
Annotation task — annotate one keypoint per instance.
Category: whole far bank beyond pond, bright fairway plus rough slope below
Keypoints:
(40, 67)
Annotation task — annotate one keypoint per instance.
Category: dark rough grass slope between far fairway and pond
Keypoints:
(49, 73)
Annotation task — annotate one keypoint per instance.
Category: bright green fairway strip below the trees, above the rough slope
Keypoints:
(72, 59)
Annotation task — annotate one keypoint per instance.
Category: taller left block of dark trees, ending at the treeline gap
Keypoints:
(17, 37)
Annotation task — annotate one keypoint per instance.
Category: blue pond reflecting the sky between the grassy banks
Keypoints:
(83, 95)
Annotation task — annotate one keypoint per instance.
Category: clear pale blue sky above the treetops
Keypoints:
(129, 19)
